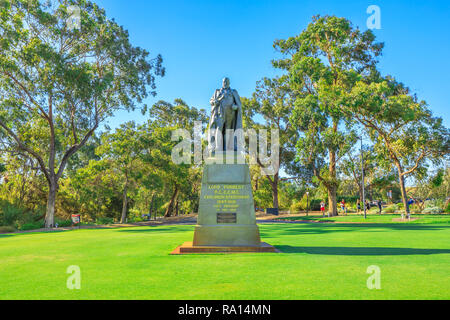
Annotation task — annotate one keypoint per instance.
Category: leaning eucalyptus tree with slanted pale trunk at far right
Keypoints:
(402, 127)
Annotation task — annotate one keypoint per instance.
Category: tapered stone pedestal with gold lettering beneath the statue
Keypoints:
(226, 218)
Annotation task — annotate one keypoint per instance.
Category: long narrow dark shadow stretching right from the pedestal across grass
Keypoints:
(360, 251)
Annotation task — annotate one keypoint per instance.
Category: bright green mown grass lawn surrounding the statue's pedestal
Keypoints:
(319, 261)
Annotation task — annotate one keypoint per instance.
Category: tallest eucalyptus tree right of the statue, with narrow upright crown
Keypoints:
(323, 63)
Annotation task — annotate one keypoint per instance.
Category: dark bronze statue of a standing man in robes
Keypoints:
(226, 118)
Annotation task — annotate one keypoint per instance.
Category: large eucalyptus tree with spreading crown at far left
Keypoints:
(65, 79)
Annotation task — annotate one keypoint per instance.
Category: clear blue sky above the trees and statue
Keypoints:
(203, 41)
